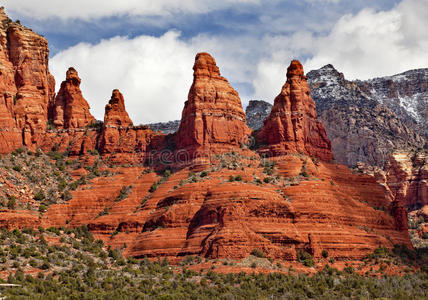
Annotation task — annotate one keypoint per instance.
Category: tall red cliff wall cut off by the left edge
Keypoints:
(26, 87)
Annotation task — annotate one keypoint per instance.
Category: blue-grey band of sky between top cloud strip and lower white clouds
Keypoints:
(248, 19)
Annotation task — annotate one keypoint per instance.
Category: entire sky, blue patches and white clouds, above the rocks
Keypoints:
(146, 48)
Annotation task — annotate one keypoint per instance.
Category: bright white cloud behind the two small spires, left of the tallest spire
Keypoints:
(153, 73)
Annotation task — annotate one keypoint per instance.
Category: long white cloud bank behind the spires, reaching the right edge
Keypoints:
(155, 73)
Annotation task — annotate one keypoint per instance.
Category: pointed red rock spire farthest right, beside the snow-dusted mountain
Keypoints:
(292, 125)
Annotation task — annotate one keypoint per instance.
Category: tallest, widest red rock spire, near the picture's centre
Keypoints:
(213, 119)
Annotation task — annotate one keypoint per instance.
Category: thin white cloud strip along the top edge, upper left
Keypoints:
(83, 9)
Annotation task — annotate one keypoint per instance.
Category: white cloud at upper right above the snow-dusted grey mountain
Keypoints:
(371, 44)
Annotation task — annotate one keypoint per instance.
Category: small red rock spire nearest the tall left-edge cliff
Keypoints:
(70, 109)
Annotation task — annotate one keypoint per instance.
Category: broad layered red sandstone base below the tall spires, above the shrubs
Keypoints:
(217, 219)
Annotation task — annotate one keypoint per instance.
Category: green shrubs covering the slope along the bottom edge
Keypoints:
(83, 268)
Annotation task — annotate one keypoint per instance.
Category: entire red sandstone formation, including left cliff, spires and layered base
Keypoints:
(301, 206)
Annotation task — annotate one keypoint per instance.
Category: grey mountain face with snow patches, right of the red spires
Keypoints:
(364, 123)
